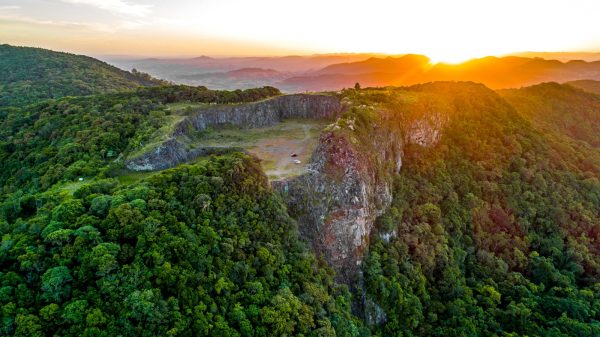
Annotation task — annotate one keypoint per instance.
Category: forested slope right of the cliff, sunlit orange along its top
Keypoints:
(495, 231)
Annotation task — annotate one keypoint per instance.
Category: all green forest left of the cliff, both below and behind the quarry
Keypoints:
(205, 249)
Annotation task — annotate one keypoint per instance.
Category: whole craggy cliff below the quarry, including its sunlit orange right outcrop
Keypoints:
(349, 181)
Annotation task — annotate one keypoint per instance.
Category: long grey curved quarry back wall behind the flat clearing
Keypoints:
(269, 112)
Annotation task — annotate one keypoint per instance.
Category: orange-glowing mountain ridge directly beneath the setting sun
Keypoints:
(497, 73)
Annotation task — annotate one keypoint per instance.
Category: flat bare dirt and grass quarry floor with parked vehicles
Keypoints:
(273, 145)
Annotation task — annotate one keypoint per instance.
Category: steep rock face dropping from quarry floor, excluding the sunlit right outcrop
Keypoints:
(345, 190)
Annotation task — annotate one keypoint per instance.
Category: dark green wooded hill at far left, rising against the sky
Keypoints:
(32, 74)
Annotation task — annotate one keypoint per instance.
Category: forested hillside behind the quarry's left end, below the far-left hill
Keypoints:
(61, 140)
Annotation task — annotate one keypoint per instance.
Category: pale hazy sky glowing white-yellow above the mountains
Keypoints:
(445, 30)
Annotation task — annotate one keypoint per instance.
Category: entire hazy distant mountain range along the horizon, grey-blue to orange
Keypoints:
(334, 72)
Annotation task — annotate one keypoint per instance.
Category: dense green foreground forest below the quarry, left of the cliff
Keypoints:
(202, 250)
